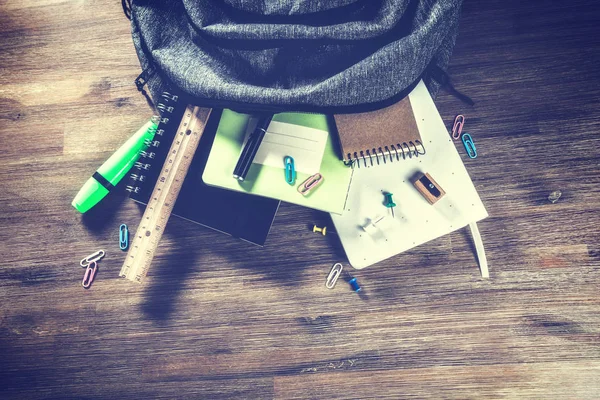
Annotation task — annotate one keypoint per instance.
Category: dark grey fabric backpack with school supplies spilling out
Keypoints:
(293, 55)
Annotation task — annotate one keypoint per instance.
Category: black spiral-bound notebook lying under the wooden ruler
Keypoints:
(237, 214)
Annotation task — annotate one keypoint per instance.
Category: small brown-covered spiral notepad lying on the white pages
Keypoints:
(389, 132)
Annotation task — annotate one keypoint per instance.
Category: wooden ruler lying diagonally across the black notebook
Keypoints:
(159, 208)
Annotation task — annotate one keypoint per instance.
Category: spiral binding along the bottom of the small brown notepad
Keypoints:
(386, 153)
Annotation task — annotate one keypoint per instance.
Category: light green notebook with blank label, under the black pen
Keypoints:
(305, 137)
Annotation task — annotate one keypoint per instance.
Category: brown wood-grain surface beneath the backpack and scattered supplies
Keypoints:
(219, 318)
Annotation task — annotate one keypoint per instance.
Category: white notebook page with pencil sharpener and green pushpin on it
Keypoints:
(416, 221)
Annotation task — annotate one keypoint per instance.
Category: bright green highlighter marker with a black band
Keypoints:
(113, 169)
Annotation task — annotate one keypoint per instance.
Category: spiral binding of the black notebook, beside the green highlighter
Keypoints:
(166, 107)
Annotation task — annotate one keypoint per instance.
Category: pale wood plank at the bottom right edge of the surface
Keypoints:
(578, 381)
